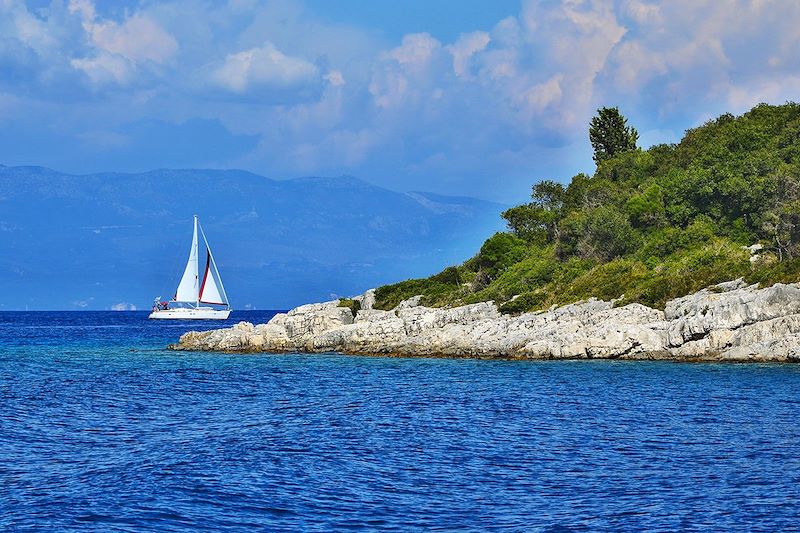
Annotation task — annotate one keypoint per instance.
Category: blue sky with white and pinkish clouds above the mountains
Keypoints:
(459, 97)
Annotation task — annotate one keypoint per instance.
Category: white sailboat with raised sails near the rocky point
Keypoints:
(192, 292)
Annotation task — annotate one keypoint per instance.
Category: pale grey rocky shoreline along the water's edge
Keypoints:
(727, 322)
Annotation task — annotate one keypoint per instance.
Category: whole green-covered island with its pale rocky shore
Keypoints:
(688, 251)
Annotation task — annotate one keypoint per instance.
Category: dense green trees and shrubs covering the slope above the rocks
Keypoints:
(648, 226)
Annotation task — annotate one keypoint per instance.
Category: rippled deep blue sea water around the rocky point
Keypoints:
(103, 429)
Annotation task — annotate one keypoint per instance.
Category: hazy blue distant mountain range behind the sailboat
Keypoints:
(103, 240)
